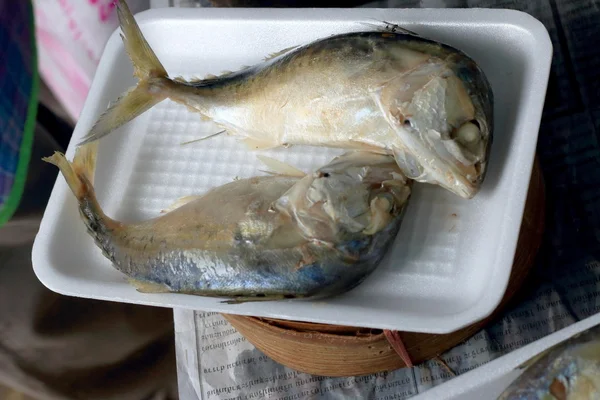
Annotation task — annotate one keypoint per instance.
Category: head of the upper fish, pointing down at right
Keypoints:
(442, 115)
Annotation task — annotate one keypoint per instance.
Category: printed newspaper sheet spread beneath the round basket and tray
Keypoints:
(216, 362)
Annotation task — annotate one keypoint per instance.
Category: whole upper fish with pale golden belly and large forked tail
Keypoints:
(427, 104)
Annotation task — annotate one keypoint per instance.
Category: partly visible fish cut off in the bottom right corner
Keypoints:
(568, 371)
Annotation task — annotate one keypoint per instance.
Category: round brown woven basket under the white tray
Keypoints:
(333, 350)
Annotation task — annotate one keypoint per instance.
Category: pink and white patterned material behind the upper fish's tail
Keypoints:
(71, 36)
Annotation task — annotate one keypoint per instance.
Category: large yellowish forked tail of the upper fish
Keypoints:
(149, 71)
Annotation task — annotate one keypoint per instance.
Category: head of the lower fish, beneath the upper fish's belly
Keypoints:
(355, 195)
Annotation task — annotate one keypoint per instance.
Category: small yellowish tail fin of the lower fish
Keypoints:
(79, 173)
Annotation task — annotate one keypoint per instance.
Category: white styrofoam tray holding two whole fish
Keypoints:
(450, 264)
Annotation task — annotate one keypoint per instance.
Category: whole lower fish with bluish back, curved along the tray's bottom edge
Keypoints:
(261, 238)
